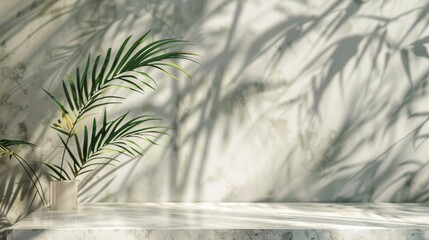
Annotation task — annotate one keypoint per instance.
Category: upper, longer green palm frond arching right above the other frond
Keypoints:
(85, 92)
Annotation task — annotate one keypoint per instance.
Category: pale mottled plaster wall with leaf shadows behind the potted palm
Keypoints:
(298, 100)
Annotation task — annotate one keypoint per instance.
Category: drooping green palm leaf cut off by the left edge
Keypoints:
(6, 146)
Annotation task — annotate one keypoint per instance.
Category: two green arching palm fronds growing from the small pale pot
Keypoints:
(90, 90)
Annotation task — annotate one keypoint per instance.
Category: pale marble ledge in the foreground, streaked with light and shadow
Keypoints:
(227, 221)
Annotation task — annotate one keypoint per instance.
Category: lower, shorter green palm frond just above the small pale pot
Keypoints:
(120, 135)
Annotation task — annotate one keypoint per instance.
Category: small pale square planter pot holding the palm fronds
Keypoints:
(63, 195)
